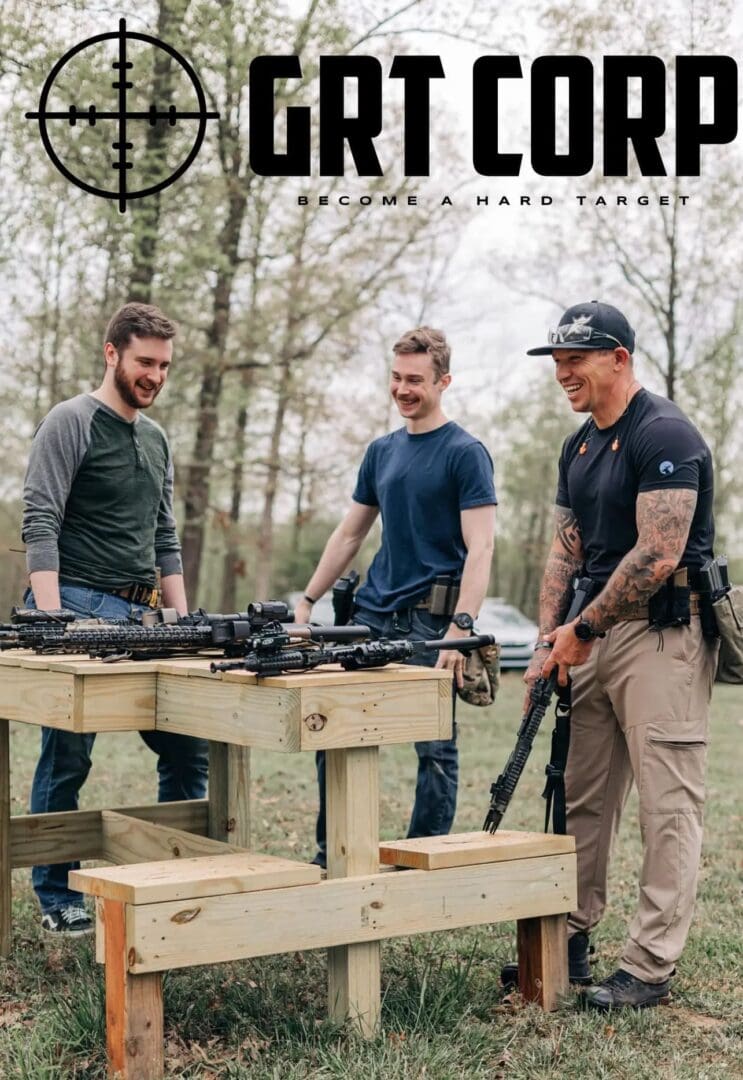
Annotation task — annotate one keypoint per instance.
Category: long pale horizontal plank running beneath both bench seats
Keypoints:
(350, 910)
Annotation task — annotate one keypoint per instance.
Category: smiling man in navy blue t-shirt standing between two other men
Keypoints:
(433, 484)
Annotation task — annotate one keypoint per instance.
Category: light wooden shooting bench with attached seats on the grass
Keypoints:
(184, 887)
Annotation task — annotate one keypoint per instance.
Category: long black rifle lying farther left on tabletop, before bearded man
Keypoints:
(165, 633)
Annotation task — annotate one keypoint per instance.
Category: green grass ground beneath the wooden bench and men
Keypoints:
(444, 1015)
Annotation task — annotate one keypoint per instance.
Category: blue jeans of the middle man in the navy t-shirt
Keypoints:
(438, 761)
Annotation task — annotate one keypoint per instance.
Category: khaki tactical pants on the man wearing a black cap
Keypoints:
(641, 710)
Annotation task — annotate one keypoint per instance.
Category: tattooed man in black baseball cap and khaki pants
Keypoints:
(634, 515)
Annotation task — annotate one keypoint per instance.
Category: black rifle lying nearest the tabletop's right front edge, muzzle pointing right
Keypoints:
(352, 658)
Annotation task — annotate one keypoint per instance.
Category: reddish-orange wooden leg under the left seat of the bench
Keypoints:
(134, 1008)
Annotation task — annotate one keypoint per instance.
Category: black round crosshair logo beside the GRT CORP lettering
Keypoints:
(127, 119)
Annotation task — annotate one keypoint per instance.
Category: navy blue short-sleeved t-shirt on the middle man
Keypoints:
(422, 484)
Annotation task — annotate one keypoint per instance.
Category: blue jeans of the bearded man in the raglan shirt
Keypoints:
(65, 761)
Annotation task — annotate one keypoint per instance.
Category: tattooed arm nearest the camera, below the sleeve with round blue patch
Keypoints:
(664, 521)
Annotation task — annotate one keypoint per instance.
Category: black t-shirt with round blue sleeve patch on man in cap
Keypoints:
(658, 448)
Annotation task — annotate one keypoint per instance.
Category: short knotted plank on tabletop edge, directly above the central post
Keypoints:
(371, 713)
